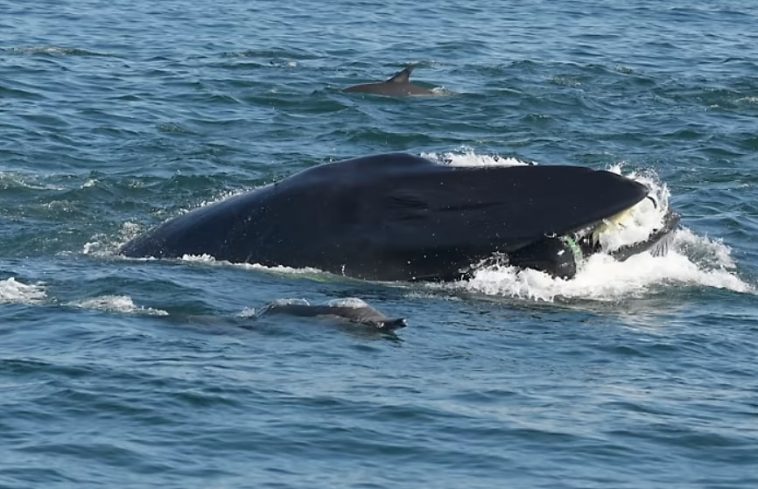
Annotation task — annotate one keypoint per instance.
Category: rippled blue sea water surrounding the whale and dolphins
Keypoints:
(115, 116)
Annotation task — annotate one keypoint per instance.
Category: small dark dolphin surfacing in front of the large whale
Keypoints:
(352, 309)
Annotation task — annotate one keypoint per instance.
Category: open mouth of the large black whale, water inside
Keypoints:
(643, 227)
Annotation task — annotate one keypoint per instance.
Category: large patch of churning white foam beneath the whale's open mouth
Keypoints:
(602, 278)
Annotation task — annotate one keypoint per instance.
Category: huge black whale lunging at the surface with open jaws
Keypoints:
(402, 217)
